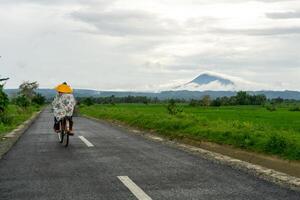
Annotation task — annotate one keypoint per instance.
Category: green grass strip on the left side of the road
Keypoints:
(16, 116)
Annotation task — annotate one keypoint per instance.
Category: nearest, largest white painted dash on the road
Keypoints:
(136, 190)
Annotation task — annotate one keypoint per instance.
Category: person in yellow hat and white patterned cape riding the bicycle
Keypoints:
(63, 105)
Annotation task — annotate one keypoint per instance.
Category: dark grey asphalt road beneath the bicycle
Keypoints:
(38, 167)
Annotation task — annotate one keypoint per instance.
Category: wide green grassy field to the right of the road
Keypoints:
(247, 127)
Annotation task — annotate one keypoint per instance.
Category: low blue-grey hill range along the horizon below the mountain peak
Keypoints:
(180, 94)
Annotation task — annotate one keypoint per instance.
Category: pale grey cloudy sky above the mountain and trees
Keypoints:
(145, 45)
